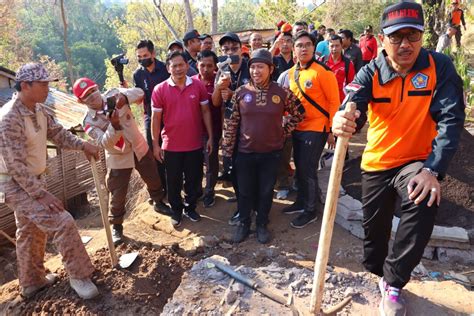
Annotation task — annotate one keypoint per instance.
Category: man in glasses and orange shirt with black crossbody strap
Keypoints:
(316, 87)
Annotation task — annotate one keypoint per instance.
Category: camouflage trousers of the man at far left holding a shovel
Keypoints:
(34, 224)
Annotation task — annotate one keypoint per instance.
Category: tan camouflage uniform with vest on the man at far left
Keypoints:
(23, 136)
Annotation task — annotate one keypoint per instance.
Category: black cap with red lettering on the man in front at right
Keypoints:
(402, 15)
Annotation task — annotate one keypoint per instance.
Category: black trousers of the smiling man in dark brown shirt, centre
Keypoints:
(256, 176)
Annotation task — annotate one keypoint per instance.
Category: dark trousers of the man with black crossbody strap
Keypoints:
(307, 149)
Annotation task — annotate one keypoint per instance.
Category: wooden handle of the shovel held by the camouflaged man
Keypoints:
(104, 209)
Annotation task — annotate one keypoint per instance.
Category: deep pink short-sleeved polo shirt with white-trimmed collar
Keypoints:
(182, 116)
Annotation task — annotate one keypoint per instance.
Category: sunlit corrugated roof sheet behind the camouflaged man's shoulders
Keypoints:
(62, 106)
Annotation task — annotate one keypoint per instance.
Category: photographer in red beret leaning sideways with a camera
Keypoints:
(111, 123)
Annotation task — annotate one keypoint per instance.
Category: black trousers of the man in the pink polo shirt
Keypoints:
(189, 164)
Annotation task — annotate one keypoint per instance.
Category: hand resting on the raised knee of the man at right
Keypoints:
(422, 185)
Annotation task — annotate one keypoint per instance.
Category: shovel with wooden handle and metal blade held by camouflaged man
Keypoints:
(126, 260)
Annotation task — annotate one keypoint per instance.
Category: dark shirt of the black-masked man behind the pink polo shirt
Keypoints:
(147, 81)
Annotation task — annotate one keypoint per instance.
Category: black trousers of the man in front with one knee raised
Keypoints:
(382, 193)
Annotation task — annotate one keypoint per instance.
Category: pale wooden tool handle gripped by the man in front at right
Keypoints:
(327, 225)
